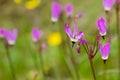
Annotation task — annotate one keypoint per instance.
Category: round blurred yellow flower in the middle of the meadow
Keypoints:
(54, 39)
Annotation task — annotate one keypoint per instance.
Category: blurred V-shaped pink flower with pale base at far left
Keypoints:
(11, 36)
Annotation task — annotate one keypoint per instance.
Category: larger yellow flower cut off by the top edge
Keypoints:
(32, 4)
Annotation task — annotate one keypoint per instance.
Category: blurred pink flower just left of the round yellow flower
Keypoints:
(36, 34)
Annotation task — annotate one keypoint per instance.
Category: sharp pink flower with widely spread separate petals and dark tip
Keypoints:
(76, 35)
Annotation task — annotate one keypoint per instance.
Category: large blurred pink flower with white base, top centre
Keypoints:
(56, 11)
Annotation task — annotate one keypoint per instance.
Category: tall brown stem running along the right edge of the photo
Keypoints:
(118, 32)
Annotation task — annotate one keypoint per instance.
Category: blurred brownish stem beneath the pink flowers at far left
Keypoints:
(10, 60)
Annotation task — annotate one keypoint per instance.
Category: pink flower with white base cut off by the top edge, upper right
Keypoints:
(108, 4)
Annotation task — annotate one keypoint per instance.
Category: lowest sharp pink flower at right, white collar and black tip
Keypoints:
(105, 50)
